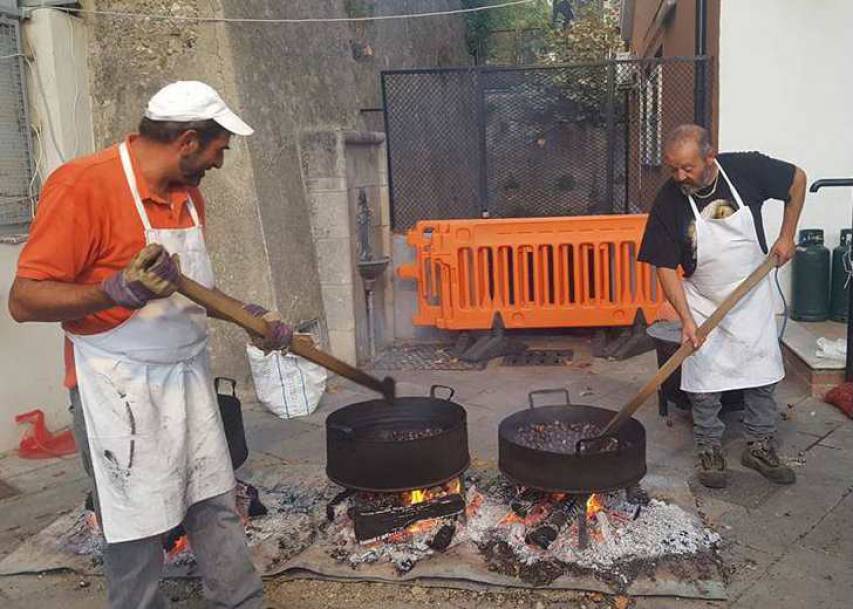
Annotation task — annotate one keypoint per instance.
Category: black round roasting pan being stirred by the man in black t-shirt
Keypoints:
(591, 469)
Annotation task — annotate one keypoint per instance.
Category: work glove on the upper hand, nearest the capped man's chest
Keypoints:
(151, 274)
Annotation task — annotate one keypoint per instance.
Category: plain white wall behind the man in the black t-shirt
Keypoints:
(785, 90)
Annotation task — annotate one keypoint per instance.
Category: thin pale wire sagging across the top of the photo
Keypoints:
(159, 17)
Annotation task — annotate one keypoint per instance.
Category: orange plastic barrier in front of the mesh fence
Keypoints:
(532, 272)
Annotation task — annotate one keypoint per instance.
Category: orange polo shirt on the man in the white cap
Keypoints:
(86, 228)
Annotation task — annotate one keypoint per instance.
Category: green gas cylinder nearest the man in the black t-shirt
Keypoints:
(810, 278)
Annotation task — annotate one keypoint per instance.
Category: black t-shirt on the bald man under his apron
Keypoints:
(669, 239)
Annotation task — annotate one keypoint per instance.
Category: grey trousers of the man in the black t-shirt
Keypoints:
(759, 419)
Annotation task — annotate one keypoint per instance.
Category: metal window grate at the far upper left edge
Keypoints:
(16, 159)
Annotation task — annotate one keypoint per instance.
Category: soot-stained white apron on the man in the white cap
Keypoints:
(155, 432)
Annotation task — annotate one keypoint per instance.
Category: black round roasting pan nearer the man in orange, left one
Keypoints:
(359, 454)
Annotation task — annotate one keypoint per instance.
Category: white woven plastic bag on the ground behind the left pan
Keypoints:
(286, 384)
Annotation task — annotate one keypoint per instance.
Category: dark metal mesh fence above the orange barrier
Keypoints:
(535, 141)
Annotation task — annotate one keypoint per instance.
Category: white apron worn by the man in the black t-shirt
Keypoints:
(743, 351)
